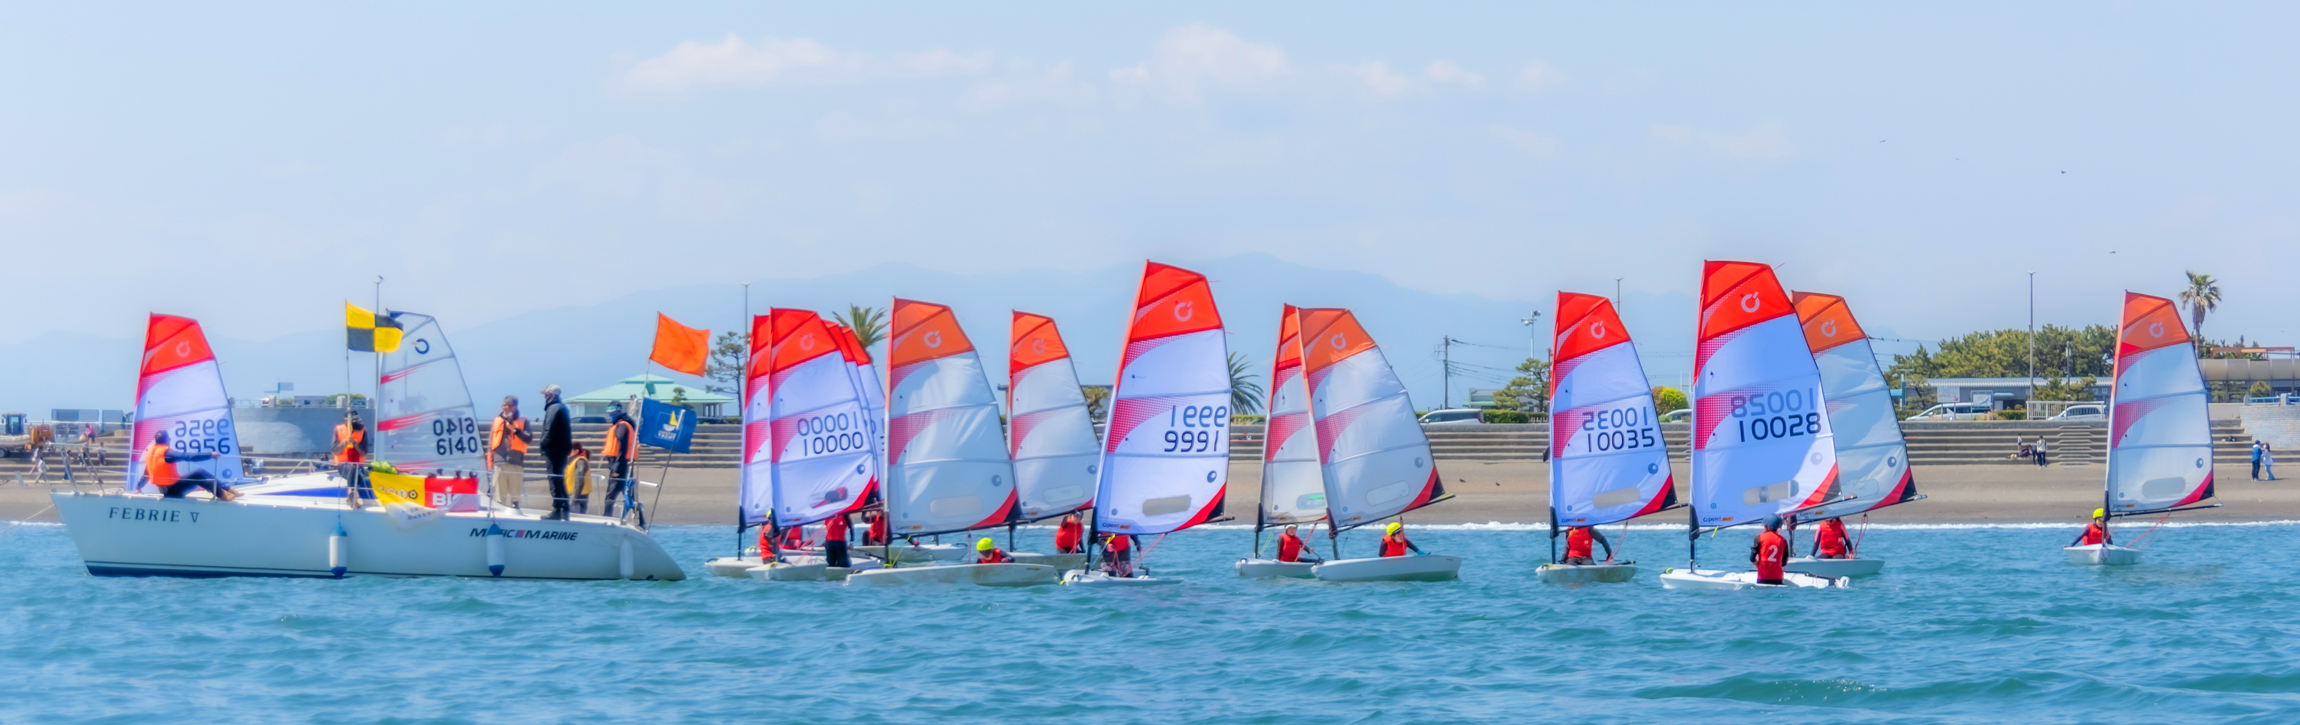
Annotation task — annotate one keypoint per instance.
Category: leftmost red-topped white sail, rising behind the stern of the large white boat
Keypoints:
(181, 390)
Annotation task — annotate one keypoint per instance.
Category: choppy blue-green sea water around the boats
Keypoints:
(1970, 625)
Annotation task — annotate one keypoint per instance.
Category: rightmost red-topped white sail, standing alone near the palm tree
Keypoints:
(2161, 434)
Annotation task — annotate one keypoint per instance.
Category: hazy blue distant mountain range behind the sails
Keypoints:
(583, 349)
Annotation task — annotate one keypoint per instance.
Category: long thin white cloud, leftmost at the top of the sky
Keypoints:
(735, 63)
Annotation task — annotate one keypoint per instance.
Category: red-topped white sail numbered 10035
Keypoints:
(1607, 455)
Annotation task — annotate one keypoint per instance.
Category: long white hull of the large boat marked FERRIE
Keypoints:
(263, 535)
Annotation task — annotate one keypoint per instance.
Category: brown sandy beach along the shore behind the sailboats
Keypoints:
(1517, 491)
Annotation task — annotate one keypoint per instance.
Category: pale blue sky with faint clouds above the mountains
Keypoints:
(254, 165)
